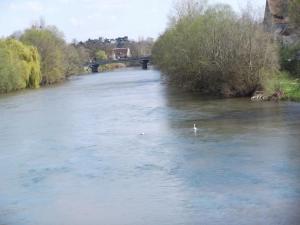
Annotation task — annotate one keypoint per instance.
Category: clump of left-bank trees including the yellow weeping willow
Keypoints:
(38, 56)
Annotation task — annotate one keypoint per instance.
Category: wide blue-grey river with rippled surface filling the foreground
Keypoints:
(73, 154)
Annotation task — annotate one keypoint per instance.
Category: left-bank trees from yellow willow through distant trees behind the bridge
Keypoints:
(40, 56)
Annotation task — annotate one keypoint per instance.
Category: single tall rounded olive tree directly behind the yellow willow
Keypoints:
(51, 49)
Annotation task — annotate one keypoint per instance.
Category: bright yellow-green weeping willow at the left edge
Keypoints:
(19, 66)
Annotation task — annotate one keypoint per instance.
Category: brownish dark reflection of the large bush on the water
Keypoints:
(226, 116)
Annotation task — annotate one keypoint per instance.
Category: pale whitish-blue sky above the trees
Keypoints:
(83, 19)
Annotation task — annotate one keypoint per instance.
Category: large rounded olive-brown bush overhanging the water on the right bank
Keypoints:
(215, 52)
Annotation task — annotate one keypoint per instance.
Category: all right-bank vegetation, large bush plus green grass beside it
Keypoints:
(214, 51)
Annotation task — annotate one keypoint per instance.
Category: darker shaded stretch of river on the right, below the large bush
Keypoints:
(240, 161)
